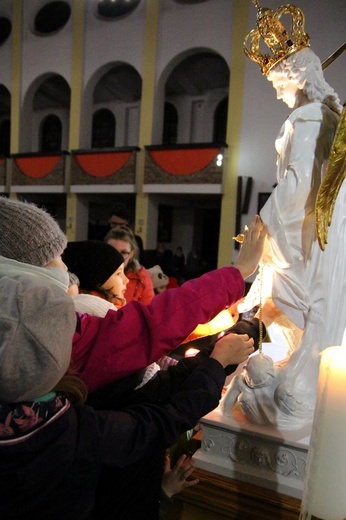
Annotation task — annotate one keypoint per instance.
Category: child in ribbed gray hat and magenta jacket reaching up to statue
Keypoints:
(107, 349)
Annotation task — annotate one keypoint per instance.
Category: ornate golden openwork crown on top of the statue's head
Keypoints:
(280, 42)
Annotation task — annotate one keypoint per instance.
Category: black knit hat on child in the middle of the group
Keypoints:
(92, 261)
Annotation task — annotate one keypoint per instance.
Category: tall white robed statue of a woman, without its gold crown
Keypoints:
(306, 286)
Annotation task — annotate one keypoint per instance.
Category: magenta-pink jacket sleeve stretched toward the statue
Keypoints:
(110, 348)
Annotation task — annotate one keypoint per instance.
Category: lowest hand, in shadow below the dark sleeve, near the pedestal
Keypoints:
(175, 479)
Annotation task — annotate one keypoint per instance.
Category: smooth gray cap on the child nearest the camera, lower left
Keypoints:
(37, 323)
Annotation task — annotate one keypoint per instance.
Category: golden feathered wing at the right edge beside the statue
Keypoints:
(332, 181)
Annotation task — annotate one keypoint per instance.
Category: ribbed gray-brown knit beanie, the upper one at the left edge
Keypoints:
(29, 234)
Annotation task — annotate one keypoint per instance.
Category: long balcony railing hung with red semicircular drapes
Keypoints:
(190, 168)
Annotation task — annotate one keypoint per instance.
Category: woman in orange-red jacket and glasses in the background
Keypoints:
(140, 287)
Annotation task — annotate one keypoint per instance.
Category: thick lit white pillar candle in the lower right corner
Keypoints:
(324, 494)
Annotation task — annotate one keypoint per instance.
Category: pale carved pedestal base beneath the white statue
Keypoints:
(263, 456)
